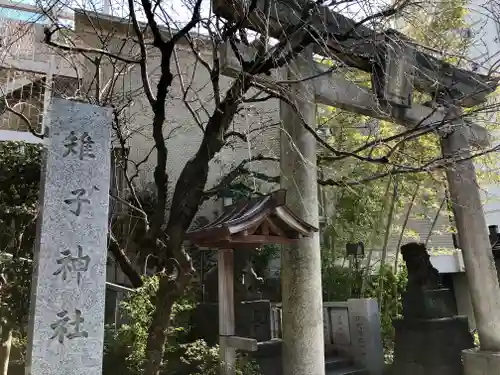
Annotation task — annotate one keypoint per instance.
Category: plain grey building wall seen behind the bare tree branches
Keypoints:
(183, 134)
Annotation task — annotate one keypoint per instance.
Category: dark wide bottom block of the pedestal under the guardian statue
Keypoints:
(431, 346)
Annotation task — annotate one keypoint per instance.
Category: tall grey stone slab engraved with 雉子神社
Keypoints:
(66, 331)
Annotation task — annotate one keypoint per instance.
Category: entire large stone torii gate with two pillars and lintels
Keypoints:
(397, 68)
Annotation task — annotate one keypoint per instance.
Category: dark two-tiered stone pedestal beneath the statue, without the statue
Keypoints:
(429, 340)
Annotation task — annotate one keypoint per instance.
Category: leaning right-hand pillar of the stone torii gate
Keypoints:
(473, 239)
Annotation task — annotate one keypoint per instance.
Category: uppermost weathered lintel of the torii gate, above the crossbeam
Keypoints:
(360, 48)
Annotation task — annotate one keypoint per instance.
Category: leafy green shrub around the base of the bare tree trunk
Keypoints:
(125, 348)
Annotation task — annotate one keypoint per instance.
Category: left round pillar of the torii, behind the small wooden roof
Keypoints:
(303, 342)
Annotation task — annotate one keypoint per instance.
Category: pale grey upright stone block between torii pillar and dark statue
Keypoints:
(366, 336)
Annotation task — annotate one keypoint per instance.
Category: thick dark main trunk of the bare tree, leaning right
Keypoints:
(186, 200)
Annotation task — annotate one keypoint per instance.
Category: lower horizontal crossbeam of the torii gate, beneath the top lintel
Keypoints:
(333, 89)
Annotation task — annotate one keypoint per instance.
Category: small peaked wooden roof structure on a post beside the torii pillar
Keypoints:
(245, 226)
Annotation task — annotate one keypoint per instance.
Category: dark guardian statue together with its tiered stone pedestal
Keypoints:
(430, 337)
